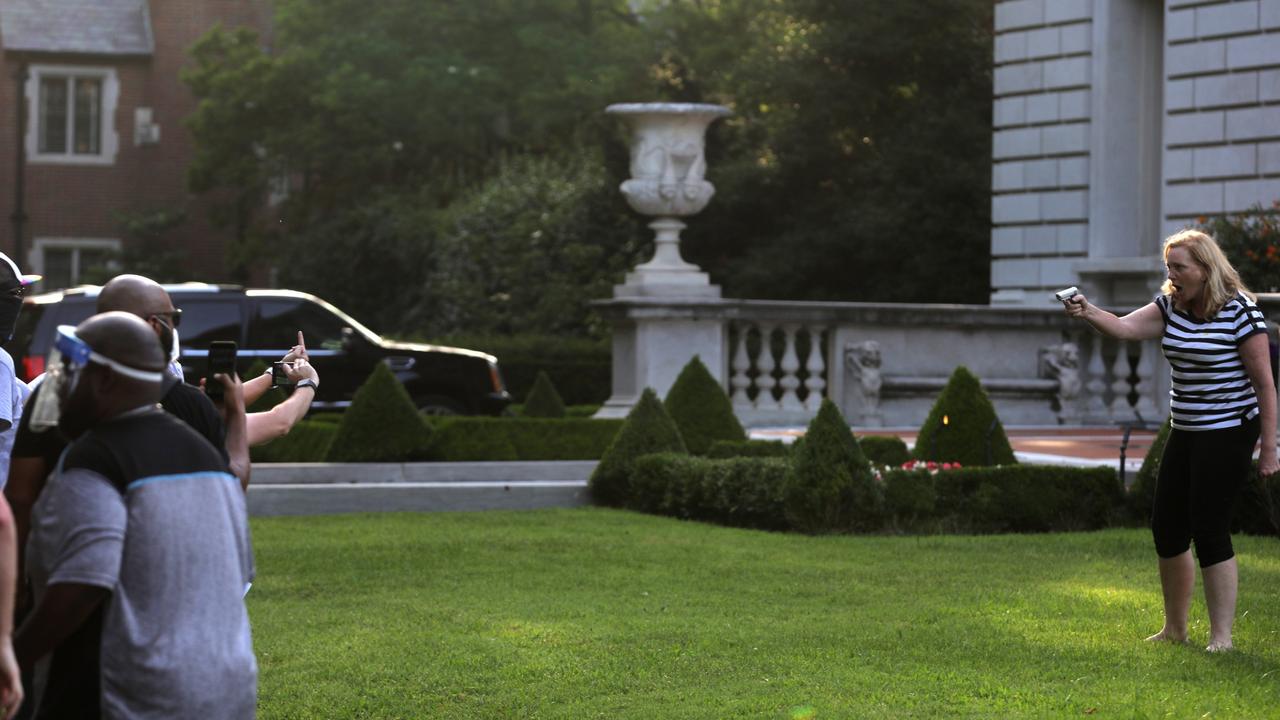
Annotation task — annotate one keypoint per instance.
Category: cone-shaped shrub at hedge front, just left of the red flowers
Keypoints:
(830, 486)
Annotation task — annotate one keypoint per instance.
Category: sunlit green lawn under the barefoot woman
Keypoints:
(607, 614)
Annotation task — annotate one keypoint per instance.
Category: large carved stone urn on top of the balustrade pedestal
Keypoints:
(668, 168)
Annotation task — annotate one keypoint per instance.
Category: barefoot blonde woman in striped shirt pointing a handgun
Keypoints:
(1223, 400)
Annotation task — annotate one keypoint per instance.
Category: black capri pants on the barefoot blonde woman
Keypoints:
(1201, 477)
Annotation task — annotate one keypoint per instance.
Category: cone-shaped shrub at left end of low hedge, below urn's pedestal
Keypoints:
(648, 430)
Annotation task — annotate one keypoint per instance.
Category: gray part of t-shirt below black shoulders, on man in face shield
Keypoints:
(175, 552)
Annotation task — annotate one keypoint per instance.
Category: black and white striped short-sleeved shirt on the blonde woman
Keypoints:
(1212, 388)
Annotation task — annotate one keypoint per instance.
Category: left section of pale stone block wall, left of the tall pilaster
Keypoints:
(1041, 147)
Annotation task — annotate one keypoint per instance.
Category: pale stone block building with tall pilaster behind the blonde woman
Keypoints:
(1118, 122)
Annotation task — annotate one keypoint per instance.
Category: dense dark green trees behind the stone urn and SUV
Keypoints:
(418, 140)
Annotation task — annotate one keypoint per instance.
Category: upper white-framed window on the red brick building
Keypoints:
(72, 115)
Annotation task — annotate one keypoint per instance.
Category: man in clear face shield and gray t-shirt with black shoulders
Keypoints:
(139, 544)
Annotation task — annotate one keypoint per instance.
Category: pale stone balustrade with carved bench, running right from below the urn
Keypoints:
(885, 364)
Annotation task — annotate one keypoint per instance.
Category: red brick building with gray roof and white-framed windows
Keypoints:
(103, 110)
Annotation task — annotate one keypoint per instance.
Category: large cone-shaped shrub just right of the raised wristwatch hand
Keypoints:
(382, 425)
